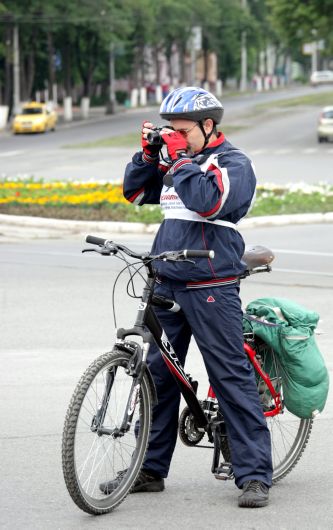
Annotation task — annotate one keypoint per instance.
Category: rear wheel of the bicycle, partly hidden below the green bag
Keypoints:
(289, 434)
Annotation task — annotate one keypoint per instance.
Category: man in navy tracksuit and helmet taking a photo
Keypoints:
(204, 187)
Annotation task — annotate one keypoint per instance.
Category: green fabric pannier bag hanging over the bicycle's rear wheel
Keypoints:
(288, 329)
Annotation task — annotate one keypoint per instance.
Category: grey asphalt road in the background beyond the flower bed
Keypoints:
(283, 145)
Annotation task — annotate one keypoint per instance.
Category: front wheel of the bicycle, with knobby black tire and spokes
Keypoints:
(88, 459)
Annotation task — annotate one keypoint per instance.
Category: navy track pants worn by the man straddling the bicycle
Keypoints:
(217, 329)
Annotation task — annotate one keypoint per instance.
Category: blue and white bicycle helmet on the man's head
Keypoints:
(191, 103)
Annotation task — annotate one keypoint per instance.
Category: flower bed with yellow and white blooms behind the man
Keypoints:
(105, 201)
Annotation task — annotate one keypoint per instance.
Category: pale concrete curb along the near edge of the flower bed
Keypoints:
(23, 227)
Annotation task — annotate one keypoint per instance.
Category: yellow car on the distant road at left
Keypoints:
(35, 117)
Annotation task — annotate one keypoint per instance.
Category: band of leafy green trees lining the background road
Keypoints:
(69, 43)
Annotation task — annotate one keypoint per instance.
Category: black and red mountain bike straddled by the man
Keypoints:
(108, 420)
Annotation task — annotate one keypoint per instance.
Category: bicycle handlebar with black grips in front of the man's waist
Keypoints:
(168, 255)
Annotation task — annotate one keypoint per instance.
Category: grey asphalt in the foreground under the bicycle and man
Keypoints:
(56, 318)
